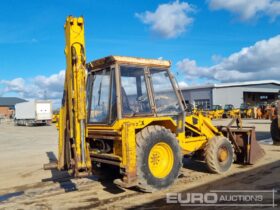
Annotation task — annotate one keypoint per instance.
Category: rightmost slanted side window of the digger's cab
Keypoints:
(166, 99)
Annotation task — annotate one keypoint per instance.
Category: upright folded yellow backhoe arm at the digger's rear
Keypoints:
(73, 151)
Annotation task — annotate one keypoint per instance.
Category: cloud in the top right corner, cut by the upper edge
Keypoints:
(248, 9)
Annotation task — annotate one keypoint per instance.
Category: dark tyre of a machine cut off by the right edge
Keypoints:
(275, 125)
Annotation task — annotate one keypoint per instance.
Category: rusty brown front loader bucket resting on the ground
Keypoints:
(246, 147)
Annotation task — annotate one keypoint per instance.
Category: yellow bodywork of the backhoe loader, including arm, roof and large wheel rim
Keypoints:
(75, 134)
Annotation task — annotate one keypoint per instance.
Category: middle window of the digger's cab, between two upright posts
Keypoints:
(134, 91)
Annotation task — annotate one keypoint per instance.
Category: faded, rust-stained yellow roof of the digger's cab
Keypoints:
(99, 63)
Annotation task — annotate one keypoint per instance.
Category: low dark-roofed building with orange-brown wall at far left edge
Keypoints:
(7, 106)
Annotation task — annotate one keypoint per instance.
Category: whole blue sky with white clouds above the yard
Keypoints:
(208, 41)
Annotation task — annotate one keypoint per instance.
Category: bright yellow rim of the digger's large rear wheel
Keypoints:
(161, 160)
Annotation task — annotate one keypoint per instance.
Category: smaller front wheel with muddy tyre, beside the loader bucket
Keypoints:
(219, 154)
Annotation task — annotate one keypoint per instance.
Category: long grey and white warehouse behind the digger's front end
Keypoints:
(233, 93)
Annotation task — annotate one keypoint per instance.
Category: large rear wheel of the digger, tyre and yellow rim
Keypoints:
(159, 158)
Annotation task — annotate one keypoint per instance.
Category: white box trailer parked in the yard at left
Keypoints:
(34, 112)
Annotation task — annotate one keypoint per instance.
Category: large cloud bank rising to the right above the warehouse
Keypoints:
(258, 62)
